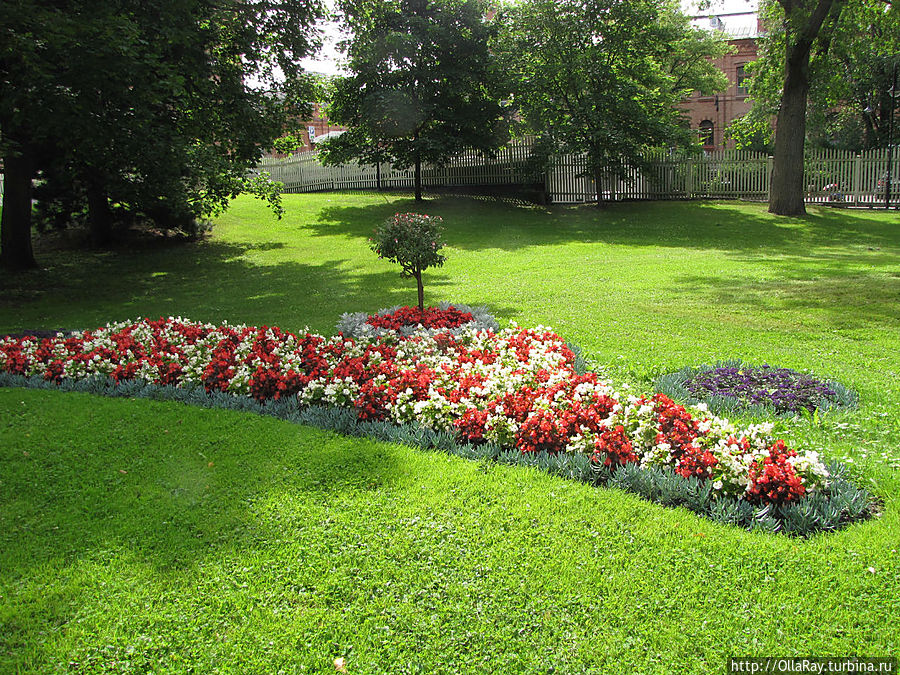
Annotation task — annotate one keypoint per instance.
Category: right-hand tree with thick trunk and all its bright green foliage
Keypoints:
(824, 72)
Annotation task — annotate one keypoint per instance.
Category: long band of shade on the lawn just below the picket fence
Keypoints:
(473, 224)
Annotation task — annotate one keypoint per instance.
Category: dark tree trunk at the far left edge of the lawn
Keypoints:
(16, 252)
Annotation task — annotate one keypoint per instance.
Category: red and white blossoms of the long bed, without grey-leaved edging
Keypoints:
(516, 388)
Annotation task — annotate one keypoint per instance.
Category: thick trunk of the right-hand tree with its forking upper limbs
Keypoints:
(804, 34)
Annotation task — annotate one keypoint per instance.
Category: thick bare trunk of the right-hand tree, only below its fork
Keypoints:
(787, 188)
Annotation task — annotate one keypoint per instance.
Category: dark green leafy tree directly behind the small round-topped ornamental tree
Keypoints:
(421, 86)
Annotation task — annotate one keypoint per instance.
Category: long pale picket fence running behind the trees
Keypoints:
(832, 176)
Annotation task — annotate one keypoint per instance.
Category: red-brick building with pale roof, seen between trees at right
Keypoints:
(710, 115)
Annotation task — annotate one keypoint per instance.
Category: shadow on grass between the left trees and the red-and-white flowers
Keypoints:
(207, 281)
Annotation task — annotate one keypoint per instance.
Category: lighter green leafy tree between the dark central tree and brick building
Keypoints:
(604, 77)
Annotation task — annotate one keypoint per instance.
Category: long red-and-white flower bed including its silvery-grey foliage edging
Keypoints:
(514, 395)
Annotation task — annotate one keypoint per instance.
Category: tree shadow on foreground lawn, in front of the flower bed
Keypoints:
(165, 483)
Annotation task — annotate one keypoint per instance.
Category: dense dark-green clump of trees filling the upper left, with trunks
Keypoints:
(142, 107)
